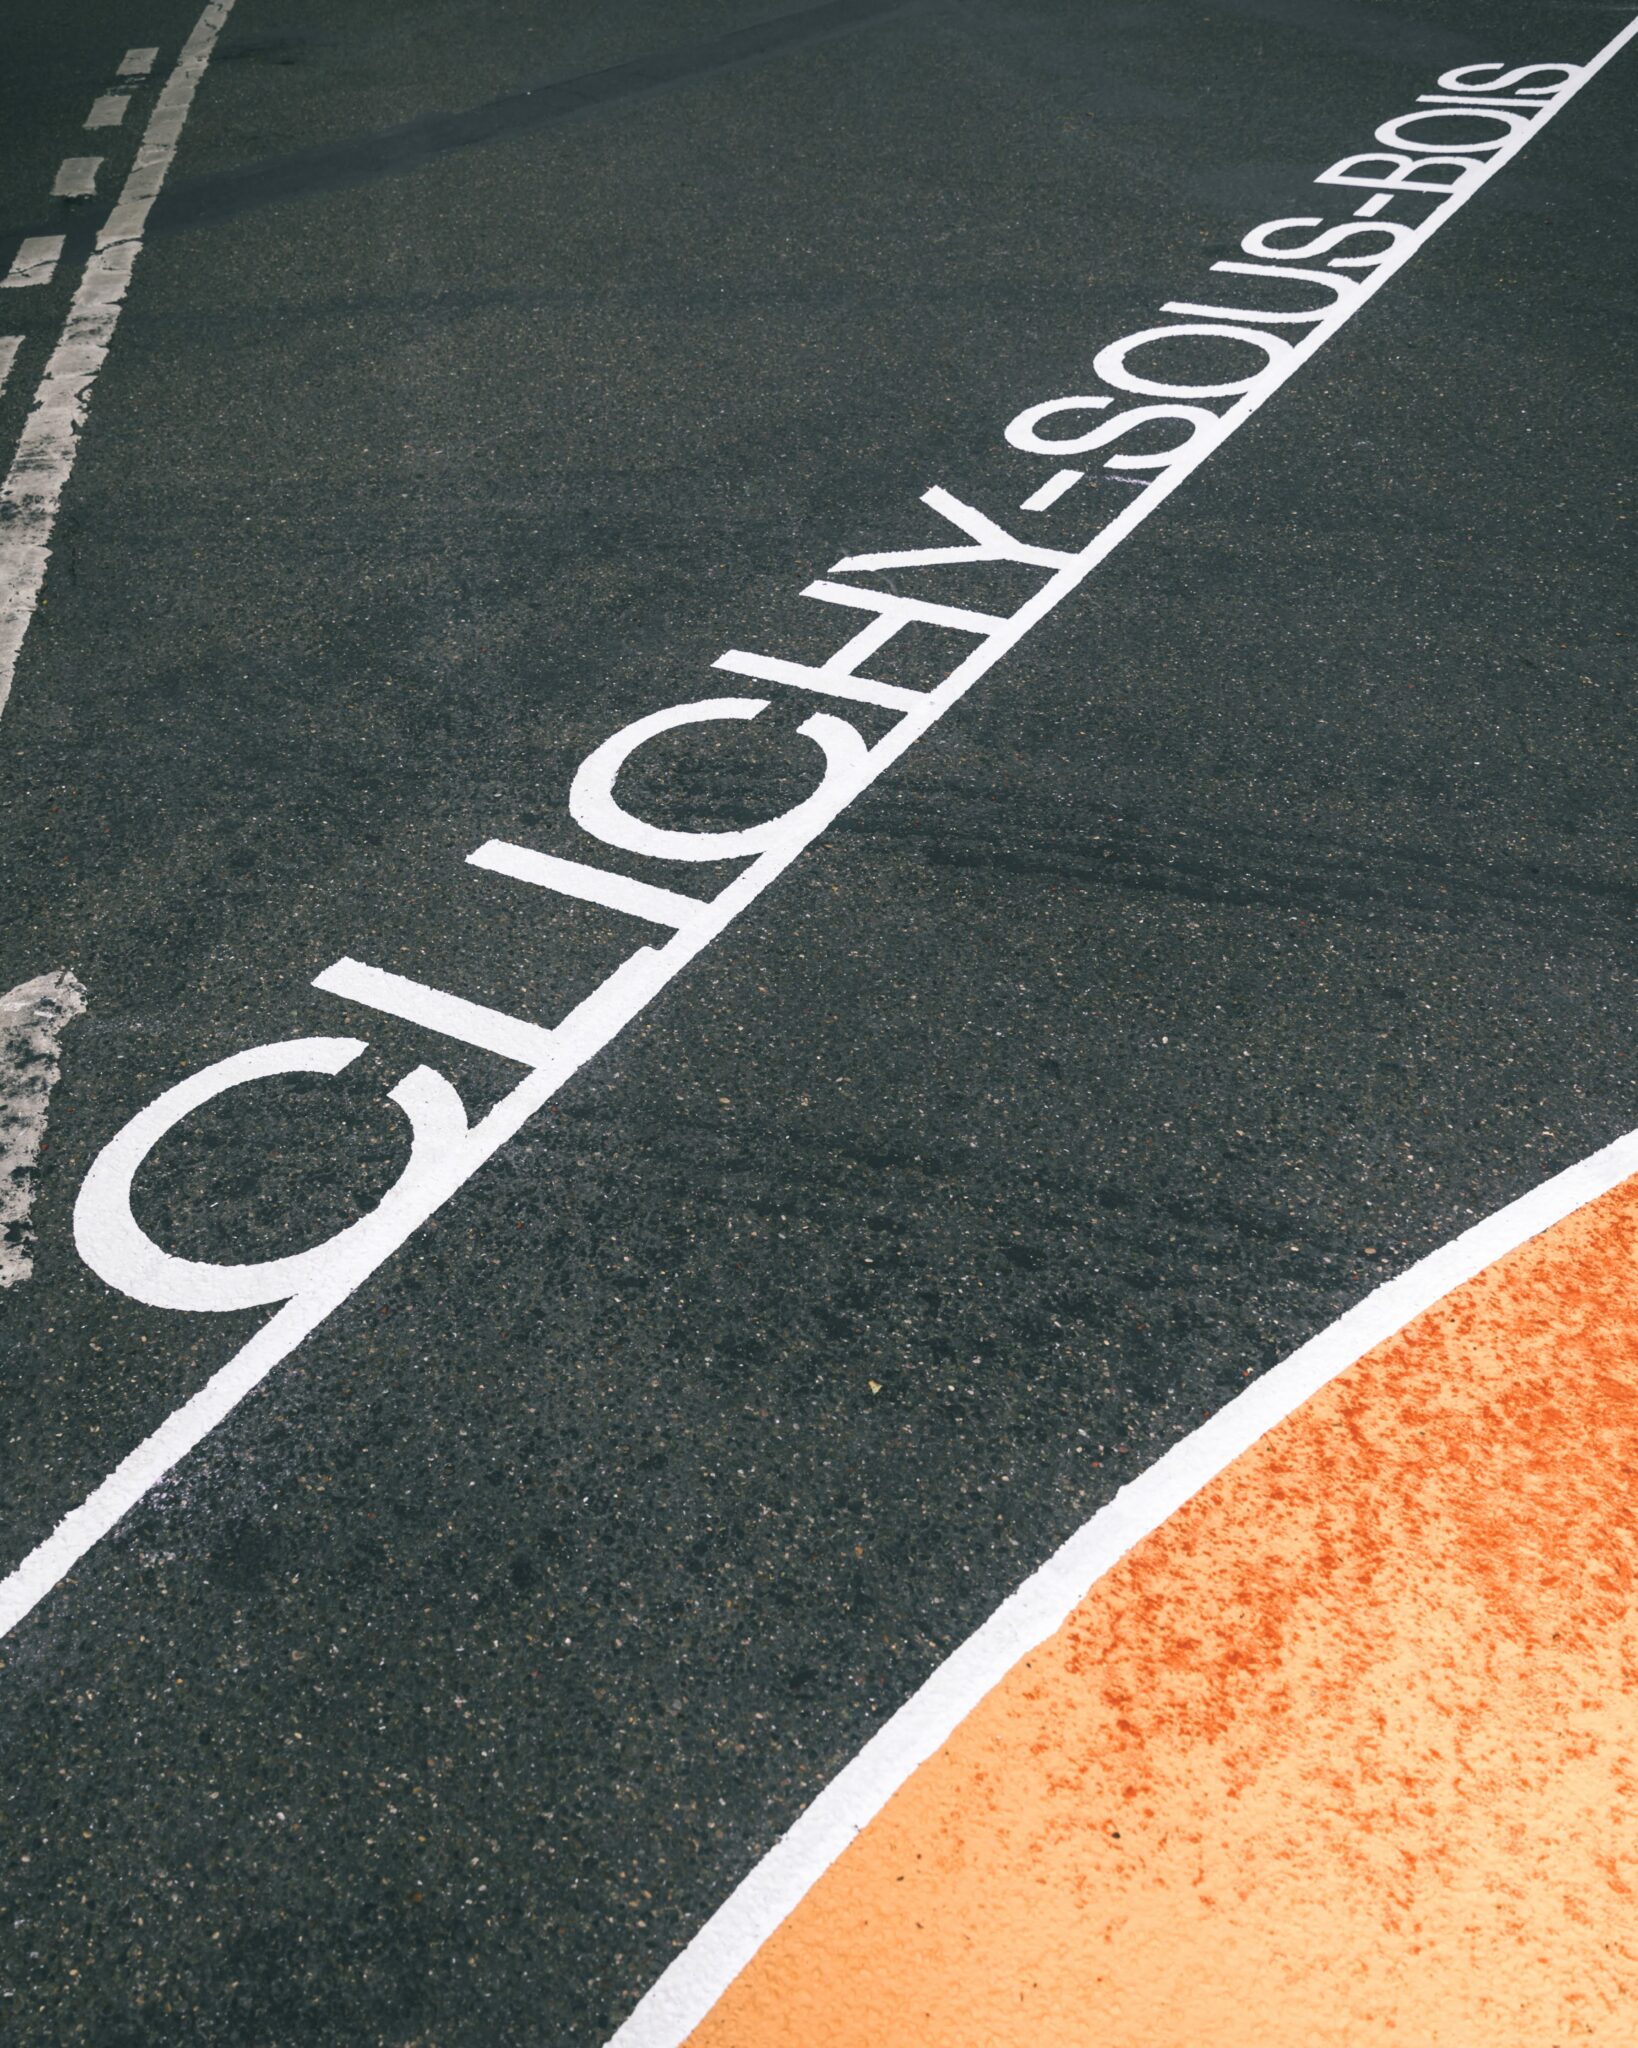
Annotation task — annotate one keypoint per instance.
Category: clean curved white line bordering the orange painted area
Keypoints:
(767, 1897)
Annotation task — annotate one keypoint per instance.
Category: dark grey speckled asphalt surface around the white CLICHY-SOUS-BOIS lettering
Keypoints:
(1258, 925)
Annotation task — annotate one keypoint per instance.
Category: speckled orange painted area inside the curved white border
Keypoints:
(1344, 1754)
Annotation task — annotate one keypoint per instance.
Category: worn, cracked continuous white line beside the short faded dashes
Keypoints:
(44, 458)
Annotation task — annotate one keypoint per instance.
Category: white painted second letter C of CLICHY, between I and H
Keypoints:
(595, 808)
